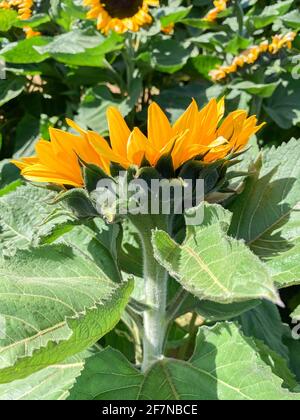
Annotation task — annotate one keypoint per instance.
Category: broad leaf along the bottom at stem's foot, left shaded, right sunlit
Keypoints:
(226, 365)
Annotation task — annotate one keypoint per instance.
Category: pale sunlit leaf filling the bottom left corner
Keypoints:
(52, 383)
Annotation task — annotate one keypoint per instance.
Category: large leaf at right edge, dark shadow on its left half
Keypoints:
(266, 214)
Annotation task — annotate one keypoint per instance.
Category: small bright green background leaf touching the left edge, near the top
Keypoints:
(24, 52)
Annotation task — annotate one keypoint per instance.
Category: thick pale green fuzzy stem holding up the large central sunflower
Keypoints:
(155, 286)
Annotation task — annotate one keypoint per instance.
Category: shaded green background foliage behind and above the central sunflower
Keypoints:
(72, 70)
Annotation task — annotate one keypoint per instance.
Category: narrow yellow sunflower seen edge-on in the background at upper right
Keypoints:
(252, 54)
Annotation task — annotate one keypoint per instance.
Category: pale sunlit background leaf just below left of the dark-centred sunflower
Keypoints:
(79, 49)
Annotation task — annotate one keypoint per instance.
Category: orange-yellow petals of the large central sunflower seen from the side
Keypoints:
(198, 134)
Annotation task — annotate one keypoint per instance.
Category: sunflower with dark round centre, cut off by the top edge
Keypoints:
(120, 15)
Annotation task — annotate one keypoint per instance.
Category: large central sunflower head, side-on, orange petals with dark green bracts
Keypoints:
(201, 144)
